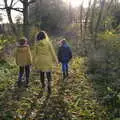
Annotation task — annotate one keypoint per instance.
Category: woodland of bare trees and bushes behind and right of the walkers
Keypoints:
(92, 32)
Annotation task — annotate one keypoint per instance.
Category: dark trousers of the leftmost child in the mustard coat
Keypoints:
(22, 70)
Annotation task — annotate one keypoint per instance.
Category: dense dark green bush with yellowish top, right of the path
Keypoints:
(104, 69)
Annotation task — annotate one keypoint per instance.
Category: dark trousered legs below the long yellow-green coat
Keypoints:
(49, 78)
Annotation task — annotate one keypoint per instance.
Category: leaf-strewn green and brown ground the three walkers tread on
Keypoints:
(71, 99)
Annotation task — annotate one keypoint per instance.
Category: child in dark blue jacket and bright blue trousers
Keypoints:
(64, 56)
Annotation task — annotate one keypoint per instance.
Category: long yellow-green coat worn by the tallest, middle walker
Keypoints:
(44, 55)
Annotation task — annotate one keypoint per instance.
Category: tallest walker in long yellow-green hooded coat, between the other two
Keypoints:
(45, 58)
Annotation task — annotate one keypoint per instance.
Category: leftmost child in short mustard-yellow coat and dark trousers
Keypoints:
(23, 60)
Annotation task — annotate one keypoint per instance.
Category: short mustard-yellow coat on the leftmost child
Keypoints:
(23, 55)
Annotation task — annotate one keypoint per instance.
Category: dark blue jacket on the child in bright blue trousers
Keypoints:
(64, 53)
